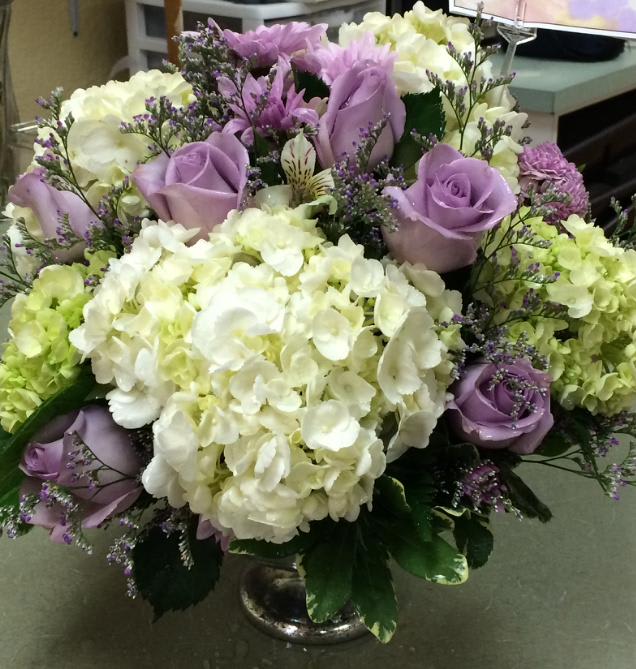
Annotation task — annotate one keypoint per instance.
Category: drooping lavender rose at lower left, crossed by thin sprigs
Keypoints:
(90, 456)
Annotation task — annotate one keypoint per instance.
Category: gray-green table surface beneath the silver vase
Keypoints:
(552, 596)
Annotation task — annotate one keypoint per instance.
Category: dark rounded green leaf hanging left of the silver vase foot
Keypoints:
(161, 577)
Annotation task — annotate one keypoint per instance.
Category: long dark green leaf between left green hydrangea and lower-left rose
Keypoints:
(12, 445)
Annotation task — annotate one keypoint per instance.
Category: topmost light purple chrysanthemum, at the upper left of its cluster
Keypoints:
(265, 45)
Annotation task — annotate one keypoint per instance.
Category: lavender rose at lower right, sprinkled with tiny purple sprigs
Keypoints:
(502, 407)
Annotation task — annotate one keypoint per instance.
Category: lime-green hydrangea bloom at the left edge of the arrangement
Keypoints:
(38, 360)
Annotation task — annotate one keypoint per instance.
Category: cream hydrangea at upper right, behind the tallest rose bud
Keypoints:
(419, 41)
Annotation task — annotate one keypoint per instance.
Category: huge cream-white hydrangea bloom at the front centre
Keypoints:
(268, 358)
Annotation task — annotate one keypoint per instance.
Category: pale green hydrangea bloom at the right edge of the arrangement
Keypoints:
(591, 349)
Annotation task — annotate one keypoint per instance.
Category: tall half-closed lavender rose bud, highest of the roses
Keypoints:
(360, 98)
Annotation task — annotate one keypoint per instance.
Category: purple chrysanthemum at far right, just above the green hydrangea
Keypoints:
(546, 170)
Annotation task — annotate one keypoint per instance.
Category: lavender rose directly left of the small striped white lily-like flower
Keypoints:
(199, 184)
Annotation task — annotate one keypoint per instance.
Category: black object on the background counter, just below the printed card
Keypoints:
(560, 45)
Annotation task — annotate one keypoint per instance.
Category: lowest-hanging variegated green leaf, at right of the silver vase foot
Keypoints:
(372, 592)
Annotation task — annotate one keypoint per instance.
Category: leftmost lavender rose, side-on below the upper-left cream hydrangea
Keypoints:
(49, 206)
